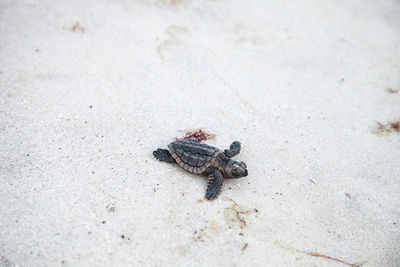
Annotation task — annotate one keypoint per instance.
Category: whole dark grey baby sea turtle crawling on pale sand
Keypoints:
(206, 160)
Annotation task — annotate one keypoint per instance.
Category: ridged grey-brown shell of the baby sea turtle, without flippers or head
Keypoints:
(193, 156)
